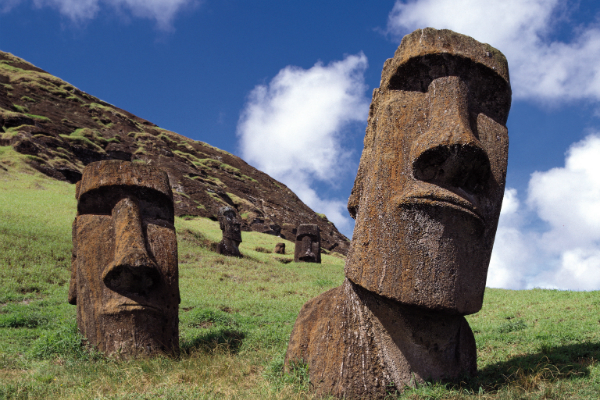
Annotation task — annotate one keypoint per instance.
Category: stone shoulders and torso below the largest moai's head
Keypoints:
(361, 345)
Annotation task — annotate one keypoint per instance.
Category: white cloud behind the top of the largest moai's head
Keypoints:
(540, 68)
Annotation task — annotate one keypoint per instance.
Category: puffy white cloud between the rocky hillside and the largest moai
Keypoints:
(292, 128)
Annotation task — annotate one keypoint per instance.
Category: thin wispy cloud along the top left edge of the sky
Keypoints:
(161, 11)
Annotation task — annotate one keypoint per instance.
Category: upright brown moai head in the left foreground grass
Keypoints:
(124, 277)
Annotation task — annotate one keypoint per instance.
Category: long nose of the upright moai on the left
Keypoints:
(132, 269)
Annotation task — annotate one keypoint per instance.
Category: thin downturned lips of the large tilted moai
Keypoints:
(438, 196)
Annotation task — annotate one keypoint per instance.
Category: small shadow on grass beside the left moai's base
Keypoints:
(223, 339)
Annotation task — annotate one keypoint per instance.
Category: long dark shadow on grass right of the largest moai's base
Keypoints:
(529, 371)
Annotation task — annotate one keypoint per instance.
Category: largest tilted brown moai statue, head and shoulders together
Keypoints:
(426, 201)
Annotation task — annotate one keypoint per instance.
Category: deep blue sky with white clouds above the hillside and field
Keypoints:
(286, 85)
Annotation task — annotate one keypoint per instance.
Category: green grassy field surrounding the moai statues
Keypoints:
(236, 316)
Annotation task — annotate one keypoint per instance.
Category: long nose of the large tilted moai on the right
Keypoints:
(449, 154)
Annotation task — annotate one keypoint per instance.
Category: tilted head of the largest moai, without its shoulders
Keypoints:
(429, 188)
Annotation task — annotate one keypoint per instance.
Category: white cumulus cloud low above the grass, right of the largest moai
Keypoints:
(565, 252)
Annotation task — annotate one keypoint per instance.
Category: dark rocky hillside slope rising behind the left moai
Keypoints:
(61, 129)
